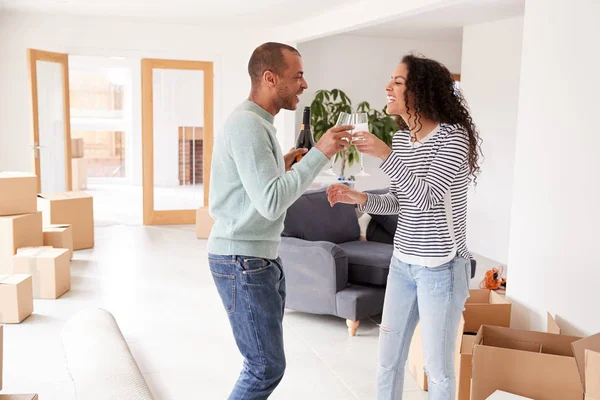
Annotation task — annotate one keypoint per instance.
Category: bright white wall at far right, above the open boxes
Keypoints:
(553, 261)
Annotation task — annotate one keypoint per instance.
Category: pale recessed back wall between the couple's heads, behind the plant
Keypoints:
(362, 67)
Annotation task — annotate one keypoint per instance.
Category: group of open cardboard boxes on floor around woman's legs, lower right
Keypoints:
(494, 361)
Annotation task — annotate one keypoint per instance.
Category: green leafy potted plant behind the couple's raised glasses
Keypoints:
(327, 106)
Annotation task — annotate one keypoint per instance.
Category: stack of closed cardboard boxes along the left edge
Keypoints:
(38, 234)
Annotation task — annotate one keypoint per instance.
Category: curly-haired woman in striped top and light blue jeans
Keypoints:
(433, 159)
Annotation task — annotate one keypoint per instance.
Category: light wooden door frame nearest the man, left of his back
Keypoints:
(173, 217)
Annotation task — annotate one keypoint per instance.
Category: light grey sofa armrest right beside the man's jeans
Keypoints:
(314, 273)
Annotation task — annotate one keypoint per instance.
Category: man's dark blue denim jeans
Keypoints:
(253, 293)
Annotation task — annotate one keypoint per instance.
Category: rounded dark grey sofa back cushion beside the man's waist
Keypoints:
(312, 218)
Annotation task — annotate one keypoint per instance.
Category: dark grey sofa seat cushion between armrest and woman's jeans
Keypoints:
(368, 262)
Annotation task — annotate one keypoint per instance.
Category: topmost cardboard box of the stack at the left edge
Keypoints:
(18, 191)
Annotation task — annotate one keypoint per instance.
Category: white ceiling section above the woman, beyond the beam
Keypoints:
(445, 23)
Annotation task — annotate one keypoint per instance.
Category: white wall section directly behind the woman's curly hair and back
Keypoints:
(491, 66)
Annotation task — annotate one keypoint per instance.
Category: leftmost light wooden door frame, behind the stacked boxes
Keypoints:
(33, 56)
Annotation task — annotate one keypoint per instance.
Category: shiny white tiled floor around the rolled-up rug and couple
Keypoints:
(156, 282)
